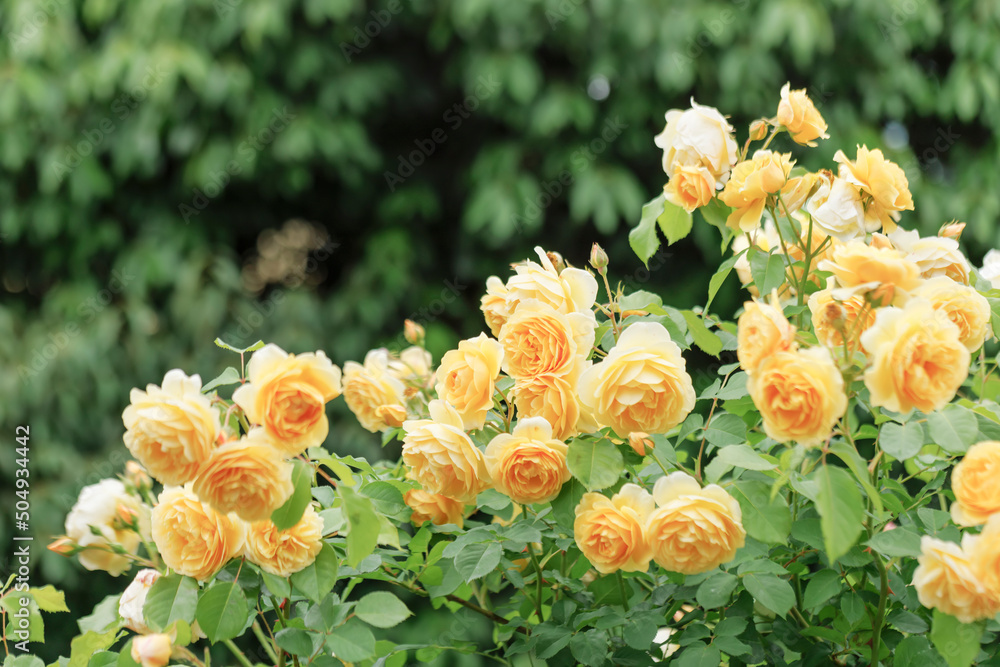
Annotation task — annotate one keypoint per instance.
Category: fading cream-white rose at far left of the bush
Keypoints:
(99, 506)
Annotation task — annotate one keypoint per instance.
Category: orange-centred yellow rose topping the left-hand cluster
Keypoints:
(287, 395)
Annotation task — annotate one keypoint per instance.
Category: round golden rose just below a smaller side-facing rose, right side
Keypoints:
(800, 395)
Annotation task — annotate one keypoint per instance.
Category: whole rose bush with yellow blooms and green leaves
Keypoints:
(826, 493)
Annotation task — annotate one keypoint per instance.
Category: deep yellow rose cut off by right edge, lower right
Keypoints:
(974, 482)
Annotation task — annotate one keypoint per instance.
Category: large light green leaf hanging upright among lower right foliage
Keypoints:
(841, 509)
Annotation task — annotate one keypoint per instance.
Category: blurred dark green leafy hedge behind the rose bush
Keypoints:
(114, 114)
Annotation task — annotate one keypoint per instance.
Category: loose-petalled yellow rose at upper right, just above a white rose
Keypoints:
(883, 185)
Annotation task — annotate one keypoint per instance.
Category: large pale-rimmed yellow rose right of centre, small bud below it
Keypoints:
(642, 385)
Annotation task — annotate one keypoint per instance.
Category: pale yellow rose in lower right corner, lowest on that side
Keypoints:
(945, 580)
